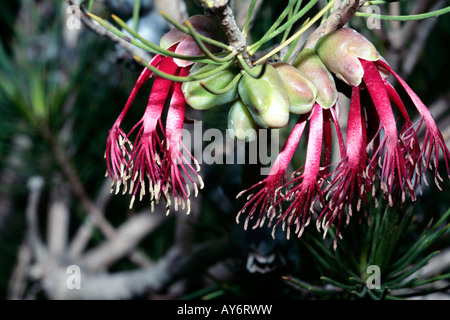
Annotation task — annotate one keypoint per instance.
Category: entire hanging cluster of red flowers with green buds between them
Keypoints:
(379, 149)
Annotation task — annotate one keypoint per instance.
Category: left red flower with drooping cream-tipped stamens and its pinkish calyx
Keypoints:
(157, 154)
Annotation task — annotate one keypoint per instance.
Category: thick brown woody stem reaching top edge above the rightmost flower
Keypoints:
(342, 13)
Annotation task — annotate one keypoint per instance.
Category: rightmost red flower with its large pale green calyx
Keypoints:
(373, 135)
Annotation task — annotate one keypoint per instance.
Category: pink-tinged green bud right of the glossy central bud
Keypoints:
(302, 93)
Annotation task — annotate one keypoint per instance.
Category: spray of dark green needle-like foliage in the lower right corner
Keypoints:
(390, 240)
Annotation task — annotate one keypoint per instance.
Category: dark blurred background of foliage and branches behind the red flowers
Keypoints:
(62, 85)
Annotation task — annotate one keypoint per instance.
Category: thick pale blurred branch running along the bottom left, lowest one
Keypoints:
(175, 265)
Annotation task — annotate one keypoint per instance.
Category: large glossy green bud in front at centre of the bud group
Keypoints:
(265, 97)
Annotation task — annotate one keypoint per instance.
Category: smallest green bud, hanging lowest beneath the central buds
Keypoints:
(240, 122)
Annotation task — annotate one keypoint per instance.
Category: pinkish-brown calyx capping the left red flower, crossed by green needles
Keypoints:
(206, 26)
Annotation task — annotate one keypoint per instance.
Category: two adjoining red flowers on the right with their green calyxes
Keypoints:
(377, 150)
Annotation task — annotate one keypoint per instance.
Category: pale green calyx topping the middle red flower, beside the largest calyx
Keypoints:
(313, 69)
